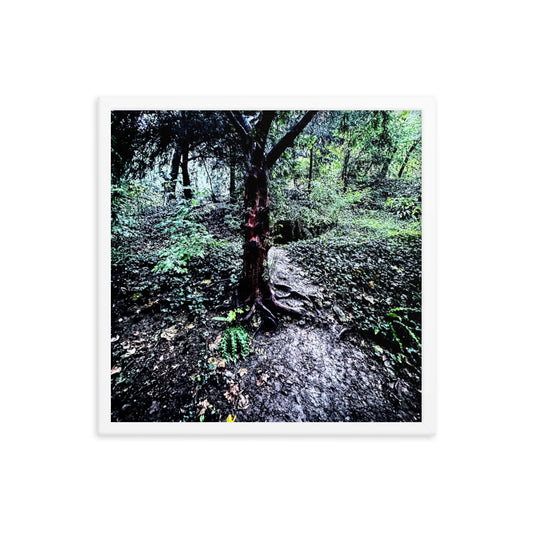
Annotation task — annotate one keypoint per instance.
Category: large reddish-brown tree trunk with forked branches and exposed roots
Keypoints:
(254, 289)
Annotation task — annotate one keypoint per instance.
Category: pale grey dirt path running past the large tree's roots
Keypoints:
(304, 372)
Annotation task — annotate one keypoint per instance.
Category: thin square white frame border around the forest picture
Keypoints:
(429, 264)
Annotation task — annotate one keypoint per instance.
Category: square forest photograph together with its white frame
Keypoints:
(266, 265)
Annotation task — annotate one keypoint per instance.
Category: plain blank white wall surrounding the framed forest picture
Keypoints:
(57, 475)
